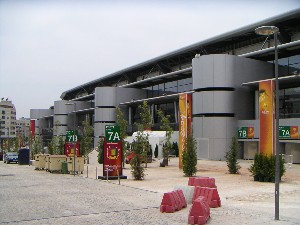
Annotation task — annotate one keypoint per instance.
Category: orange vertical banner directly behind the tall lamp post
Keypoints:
(266, 113)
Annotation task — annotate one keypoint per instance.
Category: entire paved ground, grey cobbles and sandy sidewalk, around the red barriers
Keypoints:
(29, 196)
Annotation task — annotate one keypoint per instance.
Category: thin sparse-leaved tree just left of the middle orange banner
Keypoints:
(165, 121)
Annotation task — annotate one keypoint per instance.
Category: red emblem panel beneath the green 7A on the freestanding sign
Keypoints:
(112, 159)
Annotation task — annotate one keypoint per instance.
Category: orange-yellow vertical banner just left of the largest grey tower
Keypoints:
(185, 120)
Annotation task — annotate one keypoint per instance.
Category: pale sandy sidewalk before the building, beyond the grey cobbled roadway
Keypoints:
(243, 200)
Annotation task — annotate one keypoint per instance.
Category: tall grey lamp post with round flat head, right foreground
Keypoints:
(272, 30)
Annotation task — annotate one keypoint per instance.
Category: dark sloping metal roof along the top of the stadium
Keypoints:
(288, 24)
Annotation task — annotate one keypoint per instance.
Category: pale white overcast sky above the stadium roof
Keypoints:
(50, 46)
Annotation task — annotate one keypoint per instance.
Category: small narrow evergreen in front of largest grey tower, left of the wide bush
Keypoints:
(231, 157)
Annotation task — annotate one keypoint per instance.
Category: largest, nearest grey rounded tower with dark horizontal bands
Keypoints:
(219, 100)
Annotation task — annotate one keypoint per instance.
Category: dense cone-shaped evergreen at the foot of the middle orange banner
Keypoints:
(189, 157)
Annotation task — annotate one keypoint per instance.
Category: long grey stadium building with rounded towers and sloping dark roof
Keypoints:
(223, 75)
